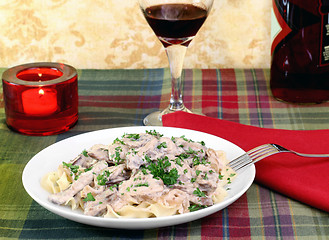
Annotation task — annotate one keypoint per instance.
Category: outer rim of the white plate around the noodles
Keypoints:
(138, 223)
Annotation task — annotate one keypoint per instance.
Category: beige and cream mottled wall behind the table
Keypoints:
(107, 34)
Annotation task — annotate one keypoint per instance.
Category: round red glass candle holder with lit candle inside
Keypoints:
(41, 98)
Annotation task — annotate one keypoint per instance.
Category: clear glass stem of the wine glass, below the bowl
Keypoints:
(176, 54)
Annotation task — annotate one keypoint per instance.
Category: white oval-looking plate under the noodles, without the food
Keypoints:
(48, 160)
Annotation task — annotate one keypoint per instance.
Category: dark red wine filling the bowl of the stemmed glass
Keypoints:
(175, 23)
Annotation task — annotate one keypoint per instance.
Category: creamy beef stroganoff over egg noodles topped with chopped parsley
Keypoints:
(141, 175)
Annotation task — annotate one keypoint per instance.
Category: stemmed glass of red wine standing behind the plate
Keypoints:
(175, 23)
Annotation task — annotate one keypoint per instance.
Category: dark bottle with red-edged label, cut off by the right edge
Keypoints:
(300, 51)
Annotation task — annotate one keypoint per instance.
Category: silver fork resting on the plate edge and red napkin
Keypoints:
(258, 153)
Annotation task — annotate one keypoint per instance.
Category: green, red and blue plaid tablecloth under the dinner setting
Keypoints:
(115, 98)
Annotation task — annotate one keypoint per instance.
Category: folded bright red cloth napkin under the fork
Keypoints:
(303, 179)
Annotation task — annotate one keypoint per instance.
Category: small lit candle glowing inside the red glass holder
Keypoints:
(39, 101)
